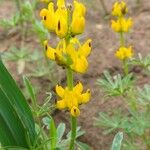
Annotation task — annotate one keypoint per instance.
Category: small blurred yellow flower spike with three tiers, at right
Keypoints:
(122, 25)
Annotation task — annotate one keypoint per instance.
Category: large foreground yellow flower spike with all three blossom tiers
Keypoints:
(67, 22)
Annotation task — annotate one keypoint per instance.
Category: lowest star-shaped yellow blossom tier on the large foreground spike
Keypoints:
(71, 99)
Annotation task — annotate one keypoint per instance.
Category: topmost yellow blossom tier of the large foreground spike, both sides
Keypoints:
(58, 20)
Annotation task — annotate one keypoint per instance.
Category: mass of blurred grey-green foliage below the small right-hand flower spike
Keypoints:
(134, 121)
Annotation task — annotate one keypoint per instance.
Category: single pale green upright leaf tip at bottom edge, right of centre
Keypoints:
(116, 145)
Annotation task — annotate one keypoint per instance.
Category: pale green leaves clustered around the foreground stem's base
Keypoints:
(57, 134)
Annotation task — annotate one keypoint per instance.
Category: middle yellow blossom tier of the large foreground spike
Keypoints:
(73, 55)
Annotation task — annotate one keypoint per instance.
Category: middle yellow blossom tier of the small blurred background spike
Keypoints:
(122, 24)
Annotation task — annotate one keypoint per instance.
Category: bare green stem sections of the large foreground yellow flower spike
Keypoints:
(73, 119)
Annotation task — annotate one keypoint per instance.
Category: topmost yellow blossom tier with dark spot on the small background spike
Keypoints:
(119, 9)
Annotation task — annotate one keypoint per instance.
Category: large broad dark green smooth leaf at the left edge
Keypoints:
(17, 127)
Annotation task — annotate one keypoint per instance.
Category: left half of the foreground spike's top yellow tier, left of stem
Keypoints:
(56, 21)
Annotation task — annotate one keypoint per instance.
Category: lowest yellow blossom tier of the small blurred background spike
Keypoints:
(124, 53)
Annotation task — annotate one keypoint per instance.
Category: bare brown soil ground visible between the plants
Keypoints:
(102, 57)
